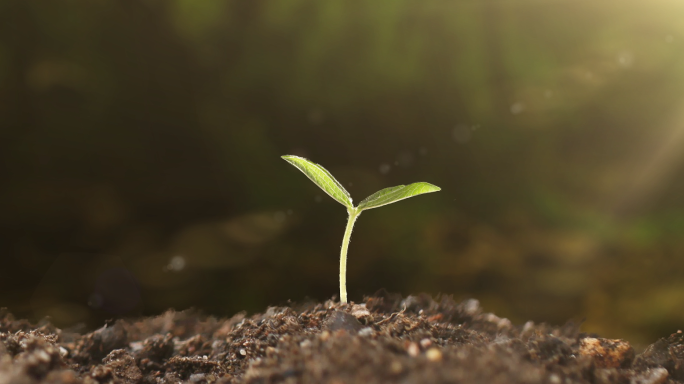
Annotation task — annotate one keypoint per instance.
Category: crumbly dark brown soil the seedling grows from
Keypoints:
(385, 339)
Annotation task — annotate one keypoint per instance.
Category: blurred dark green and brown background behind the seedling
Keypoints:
(140, 148)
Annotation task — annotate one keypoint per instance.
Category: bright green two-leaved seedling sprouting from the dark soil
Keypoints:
(321, 177)
